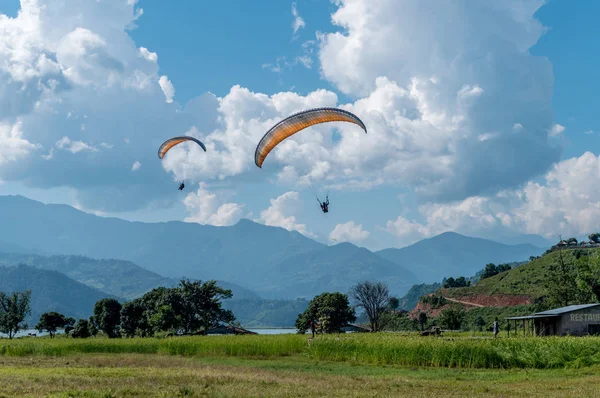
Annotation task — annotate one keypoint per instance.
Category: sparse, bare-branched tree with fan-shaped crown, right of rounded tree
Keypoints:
(373, 297)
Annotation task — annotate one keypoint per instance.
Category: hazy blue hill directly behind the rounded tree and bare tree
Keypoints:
(334, 268)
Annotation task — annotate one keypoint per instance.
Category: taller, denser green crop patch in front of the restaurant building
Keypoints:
(541, 353)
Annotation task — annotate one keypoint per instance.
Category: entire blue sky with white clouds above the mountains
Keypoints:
(498, 102)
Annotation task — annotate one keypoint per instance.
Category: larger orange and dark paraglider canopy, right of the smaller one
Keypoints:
(297, 122)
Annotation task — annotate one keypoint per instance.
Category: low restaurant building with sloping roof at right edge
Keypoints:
(574, 320)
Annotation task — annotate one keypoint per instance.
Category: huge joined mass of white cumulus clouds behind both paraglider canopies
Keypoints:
(451, 113)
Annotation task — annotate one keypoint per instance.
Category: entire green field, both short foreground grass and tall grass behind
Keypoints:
(291, 365)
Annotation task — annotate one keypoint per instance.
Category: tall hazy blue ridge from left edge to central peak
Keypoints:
(237, 254)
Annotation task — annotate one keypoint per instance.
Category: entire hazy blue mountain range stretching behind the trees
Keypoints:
(125, 259)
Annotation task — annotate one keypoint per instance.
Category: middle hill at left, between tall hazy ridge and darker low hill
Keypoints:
(117, 277)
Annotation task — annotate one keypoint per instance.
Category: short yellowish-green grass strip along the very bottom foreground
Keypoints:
(143, 375)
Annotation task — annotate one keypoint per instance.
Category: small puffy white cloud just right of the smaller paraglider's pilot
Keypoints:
(206, 208)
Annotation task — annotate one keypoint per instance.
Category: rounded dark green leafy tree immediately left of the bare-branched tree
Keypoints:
(331, 310)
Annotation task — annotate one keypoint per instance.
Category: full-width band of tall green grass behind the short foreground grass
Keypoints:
(383, 348)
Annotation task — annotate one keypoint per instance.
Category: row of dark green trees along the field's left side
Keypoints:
(192, 307)
